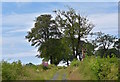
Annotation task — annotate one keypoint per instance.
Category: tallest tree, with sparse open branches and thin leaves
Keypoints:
(74, 27)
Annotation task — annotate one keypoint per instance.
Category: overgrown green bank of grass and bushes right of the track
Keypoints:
(93, 68)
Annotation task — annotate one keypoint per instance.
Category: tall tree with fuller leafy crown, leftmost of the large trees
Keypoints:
(44, 29)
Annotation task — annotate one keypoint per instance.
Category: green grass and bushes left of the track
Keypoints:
(17, 71)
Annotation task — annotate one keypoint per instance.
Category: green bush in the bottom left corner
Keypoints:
(11, 71)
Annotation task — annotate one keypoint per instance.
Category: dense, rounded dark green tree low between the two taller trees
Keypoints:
(56, 50)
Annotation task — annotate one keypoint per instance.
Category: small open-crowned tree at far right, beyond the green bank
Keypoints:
(104, 42)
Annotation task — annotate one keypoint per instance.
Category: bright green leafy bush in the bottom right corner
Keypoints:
(105, 68)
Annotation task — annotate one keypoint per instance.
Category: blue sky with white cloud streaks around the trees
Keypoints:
(18, 18)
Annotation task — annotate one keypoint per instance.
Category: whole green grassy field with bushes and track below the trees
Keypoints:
(91, 68)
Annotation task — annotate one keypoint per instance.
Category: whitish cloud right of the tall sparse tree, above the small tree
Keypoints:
(107, 23)
